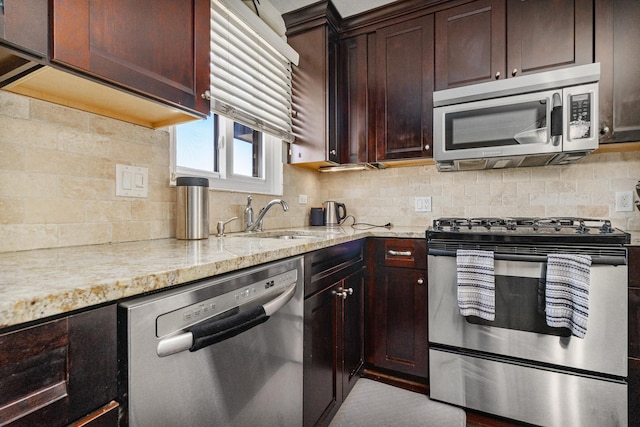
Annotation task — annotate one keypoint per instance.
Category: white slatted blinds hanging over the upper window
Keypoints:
(250, 78)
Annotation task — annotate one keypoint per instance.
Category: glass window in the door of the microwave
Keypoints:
(522, 123)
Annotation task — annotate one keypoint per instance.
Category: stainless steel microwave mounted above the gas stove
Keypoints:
(534, 120)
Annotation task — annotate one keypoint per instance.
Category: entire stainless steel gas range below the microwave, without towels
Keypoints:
(516, 366)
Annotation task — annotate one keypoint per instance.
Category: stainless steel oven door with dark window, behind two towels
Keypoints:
(519, 330)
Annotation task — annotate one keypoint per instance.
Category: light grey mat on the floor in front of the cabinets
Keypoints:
(374, 404)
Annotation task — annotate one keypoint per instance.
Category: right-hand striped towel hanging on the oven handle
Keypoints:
(567, 292)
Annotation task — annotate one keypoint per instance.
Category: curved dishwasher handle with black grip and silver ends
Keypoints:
(208, 333)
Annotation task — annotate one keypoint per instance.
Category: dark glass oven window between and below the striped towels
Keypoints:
(519, 307)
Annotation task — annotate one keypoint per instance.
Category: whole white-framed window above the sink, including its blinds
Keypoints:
(240, 147)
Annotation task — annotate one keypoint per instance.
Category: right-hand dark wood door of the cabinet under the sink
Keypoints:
(353, 331)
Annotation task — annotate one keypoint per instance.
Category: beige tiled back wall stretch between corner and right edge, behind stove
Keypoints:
(585, 189)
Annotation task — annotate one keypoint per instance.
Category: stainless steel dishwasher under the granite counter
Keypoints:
(226, 351)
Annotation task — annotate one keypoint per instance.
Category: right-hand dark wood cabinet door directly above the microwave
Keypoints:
(547, 34)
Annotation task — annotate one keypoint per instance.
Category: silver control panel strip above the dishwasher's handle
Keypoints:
(186, 316)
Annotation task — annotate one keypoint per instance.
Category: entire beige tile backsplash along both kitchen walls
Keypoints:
(57, 185)
